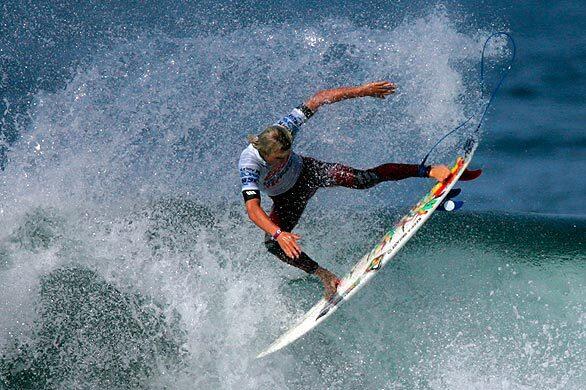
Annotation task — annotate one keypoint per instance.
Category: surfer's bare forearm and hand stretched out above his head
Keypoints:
(378, 89)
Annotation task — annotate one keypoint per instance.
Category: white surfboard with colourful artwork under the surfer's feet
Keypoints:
(382, 253)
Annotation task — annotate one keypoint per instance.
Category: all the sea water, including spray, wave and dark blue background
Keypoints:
(126, 257)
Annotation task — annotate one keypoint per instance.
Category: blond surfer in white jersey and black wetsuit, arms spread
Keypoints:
(268, 164)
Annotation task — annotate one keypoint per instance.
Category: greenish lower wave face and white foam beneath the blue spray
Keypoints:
(182, 295)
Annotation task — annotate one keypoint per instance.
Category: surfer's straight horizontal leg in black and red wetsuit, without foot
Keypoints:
(345, 176)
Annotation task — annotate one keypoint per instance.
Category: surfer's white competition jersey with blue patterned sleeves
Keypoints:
(257, 174)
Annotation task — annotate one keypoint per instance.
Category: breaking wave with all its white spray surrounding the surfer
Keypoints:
(124, 262)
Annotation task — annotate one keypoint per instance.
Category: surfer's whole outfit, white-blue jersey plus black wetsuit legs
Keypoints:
(291, 185)
